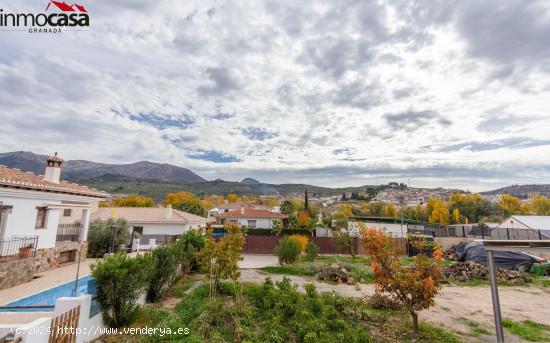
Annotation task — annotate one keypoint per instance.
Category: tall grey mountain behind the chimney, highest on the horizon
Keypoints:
(81, 170)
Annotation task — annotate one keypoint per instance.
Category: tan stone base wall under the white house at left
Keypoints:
(16, 272)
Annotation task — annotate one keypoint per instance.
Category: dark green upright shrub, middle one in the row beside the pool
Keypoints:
(164, 264)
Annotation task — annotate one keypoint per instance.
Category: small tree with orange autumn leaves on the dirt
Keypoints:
(414, 287)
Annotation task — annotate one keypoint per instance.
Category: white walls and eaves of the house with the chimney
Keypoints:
(22, 219)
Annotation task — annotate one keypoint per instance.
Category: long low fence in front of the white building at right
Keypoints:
(474, 231)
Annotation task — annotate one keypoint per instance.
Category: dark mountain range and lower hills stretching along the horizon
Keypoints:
(157, 179)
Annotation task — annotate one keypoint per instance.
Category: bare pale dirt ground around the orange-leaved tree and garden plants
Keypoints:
(454, 305)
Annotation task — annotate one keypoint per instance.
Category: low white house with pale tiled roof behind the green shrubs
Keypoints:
(163, 224)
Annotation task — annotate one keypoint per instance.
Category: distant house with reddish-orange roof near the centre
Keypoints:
(250, 217)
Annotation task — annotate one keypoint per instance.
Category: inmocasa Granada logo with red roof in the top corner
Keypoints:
(57, 16)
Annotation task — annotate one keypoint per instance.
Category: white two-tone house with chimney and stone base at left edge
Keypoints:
(31, 229)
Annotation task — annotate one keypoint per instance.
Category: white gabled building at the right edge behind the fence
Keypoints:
(524, 227)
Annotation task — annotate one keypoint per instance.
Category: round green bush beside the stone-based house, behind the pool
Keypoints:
(100, 235)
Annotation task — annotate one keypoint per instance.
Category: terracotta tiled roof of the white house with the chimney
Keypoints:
(10, 177)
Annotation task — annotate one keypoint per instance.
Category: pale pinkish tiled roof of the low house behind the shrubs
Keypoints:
(148, 215)
